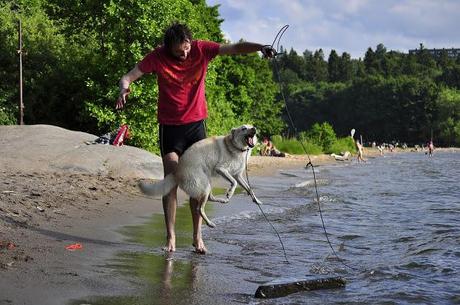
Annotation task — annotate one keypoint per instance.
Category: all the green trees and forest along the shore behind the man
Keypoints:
(76, 51)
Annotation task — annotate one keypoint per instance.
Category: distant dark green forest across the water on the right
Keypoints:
(387, 96)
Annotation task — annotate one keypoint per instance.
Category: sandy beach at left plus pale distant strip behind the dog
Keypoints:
(43, 212)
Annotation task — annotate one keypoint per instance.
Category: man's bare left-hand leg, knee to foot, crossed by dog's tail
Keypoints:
(170, 161)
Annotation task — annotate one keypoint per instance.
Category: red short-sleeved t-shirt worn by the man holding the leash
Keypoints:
(181, 83)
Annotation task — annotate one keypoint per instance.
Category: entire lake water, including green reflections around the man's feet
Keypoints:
(393, 220)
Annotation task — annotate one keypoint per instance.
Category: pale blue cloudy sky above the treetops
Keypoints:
(344, 25)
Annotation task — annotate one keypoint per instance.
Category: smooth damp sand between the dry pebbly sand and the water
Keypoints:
(39, 269)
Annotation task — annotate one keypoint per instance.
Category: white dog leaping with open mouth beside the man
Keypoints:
(224, 155)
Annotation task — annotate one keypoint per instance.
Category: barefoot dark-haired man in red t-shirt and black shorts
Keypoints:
(180, 65)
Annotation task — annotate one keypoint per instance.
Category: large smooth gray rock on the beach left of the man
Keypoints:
(32, 148)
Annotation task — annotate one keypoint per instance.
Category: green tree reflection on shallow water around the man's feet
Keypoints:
(164, 278)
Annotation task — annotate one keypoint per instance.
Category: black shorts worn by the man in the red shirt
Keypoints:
(177, 138)
